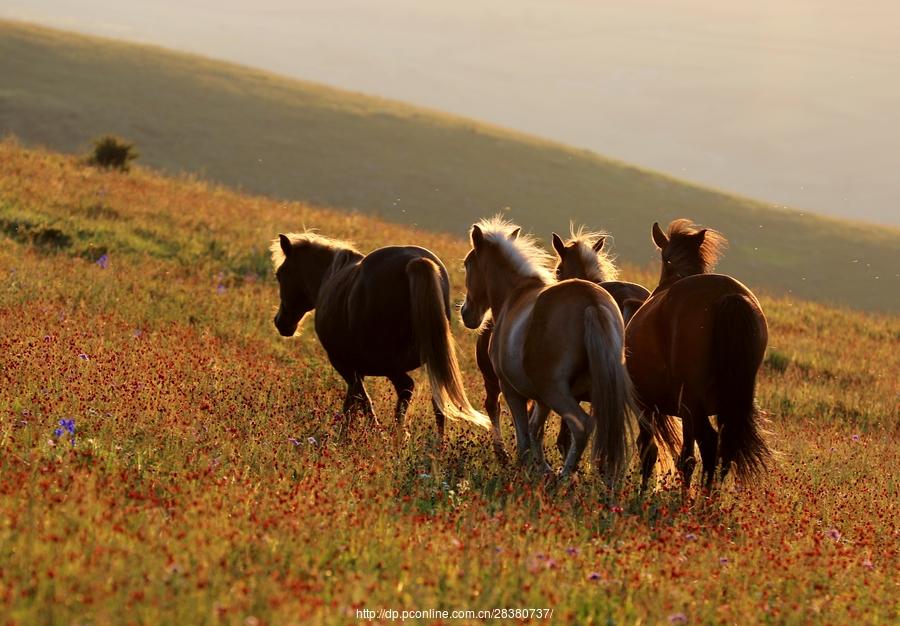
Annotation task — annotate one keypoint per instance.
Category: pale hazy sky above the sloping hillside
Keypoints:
(792, 101)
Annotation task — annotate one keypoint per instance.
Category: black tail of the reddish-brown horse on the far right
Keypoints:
(736, 359)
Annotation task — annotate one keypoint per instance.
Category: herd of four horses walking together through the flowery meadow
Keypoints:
(550, 339)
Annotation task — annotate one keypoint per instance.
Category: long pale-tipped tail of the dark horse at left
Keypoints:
(431, 327)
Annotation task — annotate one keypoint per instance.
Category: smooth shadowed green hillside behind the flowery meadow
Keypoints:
(290, 139)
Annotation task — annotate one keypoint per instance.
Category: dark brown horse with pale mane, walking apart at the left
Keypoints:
(381, 314)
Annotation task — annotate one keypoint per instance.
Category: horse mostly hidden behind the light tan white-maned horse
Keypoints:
(581, 256)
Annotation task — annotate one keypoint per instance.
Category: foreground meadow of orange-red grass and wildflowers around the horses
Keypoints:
(166, 457)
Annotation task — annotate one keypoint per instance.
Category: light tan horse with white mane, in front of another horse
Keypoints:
(552, 343)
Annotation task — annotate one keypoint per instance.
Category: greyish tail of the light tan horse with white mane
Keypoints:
(612, 400)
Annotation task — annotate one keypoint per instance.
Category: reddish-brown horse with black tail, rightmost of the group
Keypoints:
(694, 349)
